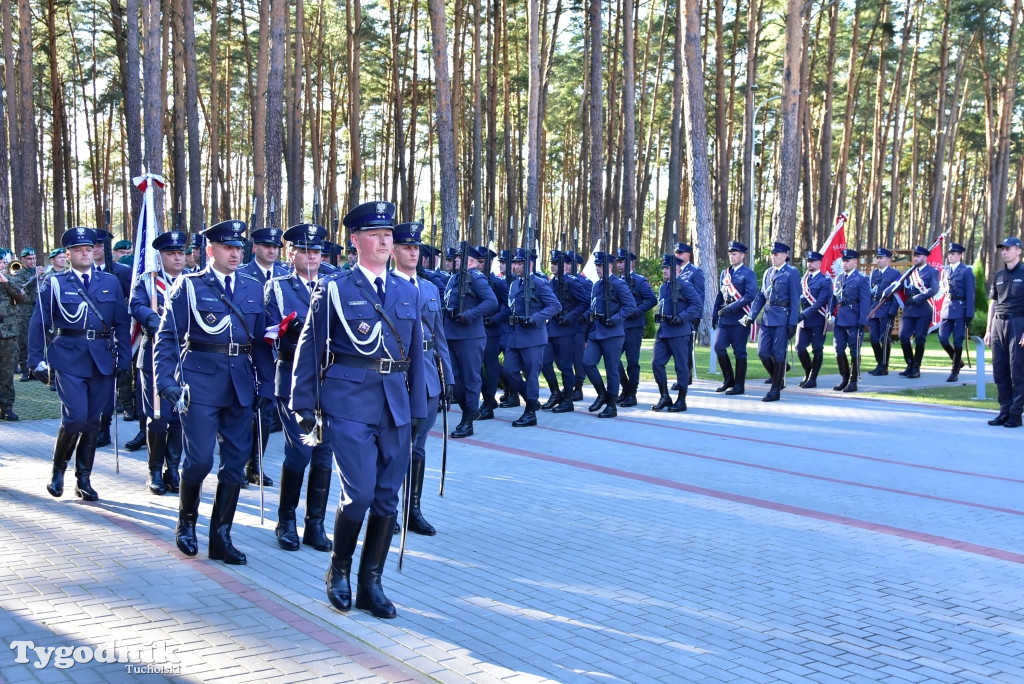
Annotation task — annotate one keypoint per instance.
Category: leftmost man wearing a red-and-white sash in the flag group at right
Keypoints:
(738, 286)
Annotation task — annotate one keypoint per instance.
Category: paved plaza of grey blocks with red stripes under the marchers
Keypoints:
(824, 538)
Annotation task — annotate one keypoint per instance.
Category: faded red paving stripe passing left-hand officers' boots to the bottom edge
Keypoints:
(339, 645)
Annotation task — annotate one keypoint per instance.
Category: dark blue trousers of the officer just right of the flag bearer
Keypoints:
(205, 429)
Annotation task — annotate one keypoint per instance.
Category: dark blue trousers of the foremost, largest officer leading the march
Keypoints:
(373, 461)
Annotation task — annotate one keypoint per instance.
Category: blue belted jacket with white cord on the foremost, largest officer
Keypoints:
(345, 309)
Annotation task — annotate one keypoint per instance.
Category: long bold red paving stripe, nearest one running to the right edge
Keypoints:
(902, 533)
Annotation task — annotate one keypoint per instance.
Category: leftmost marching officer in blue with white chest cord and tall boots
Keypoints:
(86, 311)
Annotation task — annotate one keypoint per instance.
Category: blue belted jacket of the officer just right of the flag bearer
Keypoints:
(199, 313)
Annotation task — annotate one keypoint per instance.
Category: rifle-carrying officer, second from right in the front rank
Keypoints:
(611, 313)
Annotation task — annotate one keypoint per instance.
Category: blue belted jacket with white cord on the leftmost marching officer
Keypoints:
(61, 306)
